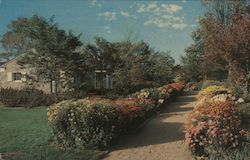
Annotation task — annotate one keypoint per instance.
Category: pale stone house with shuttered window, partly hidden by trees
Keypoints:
(15, 76)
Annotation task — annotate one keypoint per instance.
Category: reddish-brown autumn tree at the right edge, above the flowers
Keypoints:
(230, 40)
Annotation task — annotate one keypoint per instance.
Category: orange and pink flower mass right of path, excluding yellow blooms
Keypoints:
(215, 128)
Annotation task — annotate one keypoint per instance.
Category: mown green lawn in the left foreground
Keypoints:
(25, 135)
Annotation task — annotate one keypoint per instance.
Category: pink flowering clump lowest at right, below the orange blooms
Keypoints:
(209, 135)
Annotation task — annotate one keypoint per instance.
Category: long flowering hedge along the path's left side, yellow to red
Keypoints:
(97, 122)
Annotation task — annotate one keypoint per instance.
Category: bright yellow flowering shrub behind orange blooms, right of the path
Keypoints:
(213, 90)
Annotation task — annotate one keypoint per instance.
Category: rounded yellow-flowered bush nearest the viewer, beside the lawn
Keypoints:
(85, 123)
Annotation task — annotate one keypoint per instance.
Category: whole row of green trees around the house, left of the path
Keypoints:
(39, 43)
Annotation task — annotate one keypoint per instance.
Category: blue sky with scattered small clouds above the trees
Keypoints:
(165, 24)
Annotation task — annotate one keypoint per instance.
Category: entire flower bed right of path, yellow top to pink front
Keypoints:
(214, 127)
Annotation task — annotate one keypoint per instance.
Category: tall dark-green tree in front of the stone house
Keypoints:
(42, 46)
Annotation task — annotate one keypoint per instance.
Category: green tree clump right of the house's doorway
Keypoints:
(141, 67)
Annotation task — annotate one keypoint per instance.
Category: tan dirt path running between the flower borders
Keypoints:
(162, 138)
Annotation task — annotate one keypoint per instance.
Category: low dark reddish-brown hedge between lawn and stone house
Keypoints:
(26, 97)
